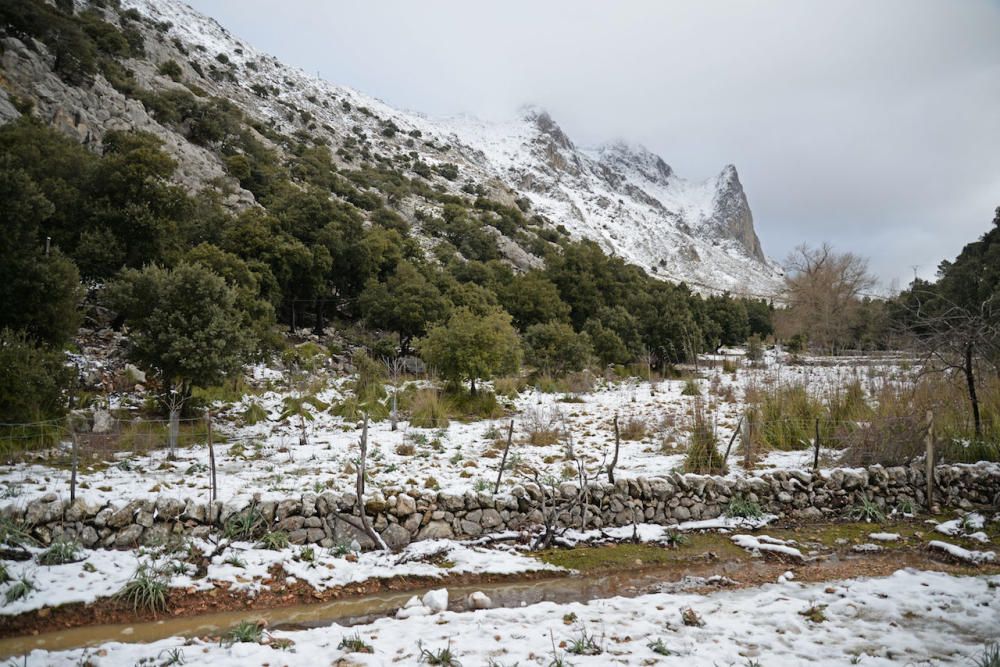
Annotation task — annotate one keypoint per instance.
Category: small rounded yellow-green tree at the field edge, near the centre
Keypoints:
(472, 347)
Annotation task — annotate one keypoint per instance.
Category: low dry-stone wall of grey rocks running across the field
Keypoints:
(401, 516)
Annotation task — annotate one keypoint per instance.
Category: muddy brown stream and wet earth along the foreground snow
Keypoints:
(605, 571)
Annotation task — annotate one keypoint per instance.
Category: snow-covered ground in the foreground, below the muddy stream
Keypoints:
(908, 618)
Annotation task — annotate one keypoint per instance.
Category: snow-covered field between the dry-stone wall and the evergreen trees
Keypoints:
(267, 458)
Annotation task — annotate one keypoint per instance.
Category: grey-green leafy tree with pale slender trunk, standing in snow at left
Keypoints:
(186, 325)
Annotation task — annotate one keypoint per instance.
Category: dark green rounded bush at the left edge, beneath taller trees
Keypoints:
(35, 382)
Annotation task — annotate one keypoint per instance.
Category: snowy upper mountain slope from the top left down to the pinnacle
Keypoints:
(622, 196)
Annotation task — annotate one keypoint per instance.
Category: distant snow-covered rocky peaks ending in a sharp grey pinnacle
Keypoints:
(629, 200)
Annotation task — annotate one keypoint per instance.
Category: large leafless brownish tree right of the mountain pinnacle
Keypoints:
(823, 292)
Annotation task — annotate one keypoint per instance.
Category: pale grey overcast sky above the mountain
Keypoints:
(872, 125)
